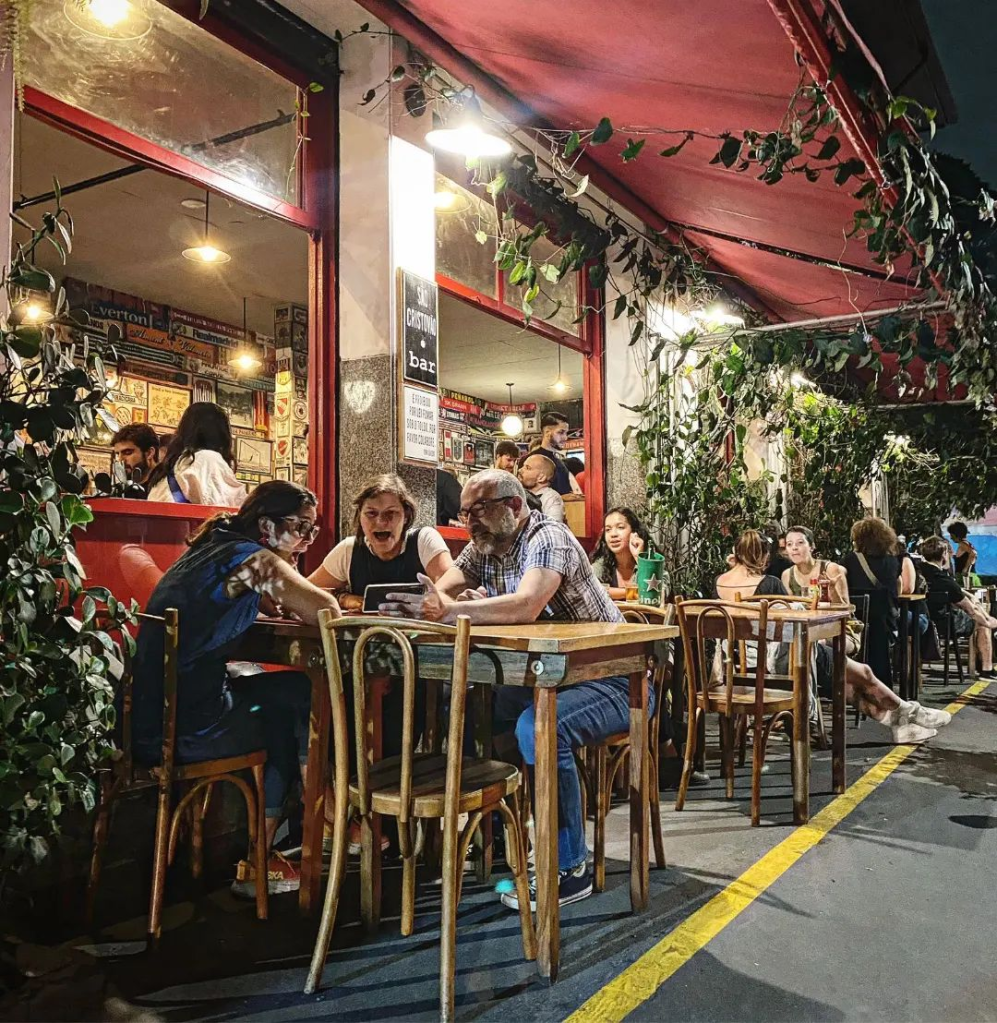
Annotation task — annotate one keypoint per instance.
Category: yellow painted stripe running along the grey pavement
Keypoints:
(640, 982)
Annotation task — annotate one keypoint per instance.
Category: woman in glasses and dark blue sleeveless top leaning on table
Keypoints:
(237, 566)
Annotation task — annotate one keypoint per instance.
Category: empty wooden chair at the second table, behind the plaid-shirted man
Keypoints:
(743, 693)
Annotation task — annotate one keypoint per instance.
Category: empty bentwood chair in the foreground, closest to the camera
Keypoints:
(415, 786)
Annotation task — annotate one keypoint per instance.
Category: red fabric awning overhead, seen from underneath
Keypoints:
(712, 66)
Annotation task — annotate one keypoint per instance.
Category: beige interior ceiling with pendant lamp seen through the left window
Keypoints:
(130, 234)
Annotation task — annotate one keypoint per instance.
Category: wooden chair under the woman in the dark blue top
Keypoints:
(125, 777)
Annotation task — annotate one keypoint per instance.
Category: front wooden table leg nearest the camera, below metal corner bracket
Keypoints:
(546, 809)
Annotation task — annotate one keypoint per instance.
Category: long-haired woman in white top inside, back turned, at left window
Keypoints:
(200, 462)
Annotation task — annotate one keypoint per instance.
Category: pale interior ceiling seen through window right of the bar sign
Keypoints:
(480, 354)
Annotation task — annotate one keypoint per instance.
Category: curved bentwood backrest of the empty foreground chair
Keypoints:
(401, 636)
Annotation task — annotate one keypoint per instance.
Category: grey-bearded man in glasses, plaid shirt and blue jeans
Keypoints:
(523, 567)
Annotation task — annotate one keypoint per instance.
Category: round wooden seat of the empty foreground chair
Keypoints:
(483, 783)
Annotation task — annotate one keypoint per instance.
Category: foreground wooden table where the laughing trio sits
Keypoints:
(542, 657)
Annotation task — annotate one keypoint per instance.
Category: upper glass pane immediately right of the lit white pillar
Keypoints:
(460, 255)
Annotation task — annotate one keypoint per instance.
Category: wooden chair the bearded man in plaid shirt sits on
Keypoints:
(610, 755)
